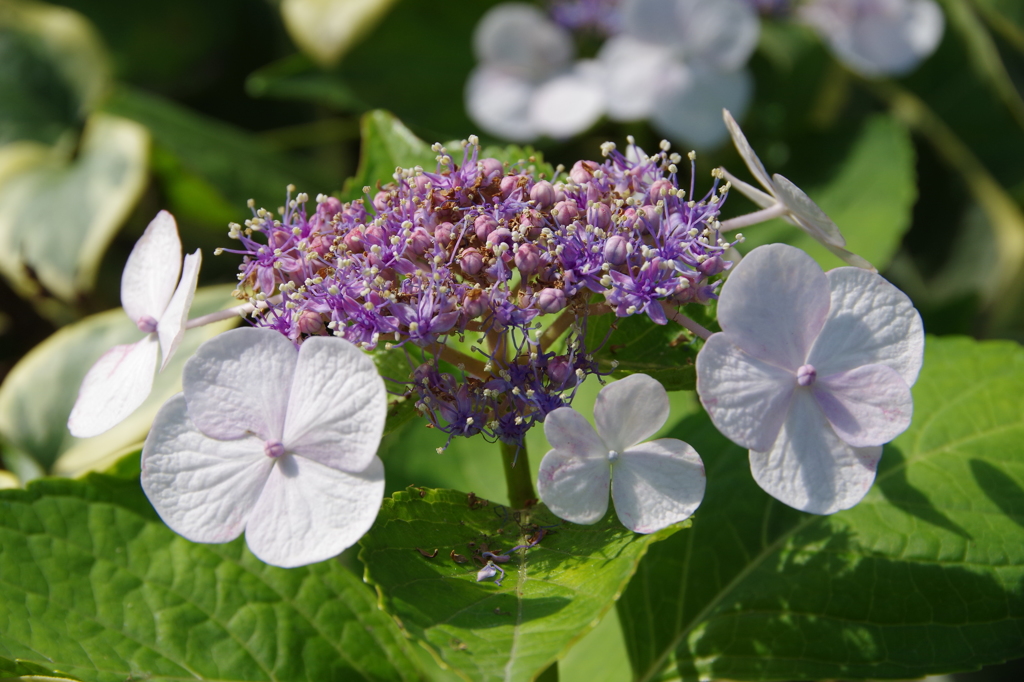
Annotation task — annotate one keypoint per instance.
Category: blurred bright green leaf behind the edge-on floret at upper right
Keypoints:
(871, 199)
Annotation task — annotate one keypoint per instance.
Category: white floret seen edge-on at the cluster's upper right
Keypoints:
(796, 207)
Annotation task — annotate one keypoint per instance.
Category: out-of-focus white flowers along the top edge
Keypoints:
(674, 63)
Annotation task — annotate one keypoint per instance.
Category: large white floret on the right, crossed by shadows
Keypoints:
(813, 373)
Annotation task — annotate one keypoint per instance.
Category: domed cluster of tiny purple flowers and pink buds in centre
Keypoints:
(486, 274)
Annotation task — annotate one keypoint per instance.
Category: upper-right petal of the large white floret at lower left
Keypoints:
(337, 407)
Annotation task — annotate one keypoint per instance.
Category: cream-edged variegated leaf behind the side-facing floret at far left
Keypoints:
(37, 396)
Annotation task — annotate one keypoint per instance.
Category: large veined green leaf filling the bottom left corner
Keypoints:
(96, 585)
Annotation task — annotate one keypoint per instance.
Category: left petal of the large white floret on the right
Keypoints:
(747, 399)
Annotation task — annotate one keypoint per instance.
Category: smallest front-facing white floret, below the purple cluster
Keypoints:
(654, 485)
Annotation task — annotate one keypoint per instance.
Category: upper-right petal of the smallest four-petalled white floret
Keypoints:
(630, 410)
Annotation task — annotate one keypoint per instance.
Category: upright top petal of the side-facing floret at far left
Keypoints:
(152, 271)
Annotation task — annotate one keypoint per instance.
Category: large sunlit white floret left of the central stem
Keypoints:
(278, 442)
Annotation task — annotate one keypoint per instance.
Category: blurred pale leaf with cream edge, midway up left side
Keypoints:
(59, 212)
